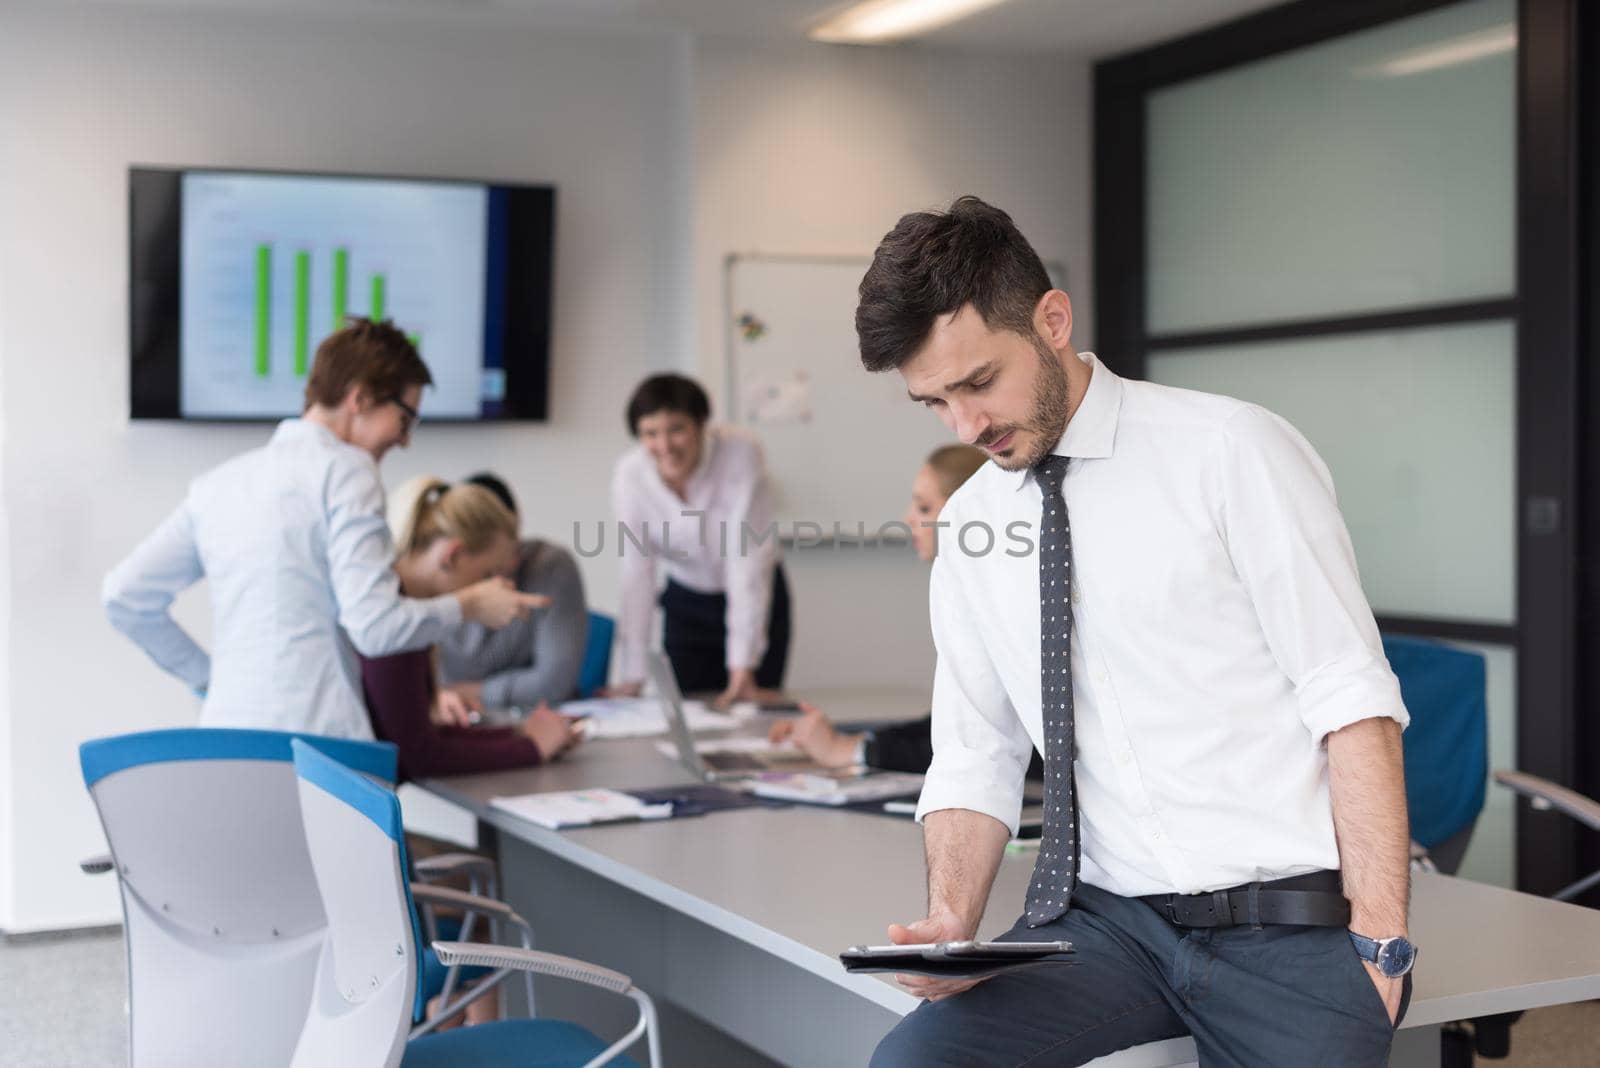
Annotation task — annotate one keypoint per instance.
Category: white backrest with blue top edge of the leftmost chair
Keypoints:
(222, 914)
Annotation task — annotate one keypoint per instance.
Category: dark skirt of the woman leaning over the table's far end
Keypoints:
(695, 637)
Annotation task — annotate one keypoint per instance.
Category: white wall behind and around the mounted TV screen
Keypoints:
(84, 94)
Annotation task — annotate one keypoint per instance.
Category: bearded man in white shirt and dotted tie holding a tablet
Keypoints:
(1154, 588)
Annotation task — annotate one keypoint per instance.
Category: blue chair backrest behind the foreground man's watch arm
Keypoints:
(1447, 744)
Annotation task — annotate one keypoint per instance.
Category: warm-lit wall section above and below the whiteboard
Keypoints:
(818, 151)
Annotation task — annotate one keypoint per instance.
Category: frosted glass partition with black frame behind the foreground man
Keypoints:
(1324, 209)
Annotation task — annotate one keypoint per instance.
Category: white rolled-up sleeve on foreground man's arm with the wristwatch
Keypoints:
(1294, 554)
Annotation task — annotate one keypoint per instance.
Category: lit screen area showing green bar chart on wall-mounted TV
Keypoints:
(273, 265)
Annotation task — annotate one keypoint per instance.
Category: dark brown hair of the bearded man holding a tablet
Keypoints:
(935, 263)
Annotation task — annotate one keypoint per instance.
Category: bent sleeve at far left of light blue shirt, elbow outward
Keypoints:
(138, 596)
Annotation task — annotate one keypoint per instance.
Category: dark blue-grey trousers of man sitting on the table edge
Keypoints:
(1250, 997)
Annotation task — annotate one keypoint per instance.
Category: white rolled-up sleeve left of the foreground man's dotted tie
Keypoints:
(980, 746)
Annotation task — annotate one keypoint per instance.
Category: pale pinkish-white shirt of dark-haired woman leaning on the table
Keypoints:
(698, 541)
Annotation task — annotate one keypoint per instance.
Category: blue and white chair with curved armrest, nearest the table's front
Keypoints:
(367, 981)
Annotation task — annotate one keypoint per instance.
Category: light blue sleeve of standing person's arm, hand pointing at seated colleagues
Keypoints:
(361, 564)
